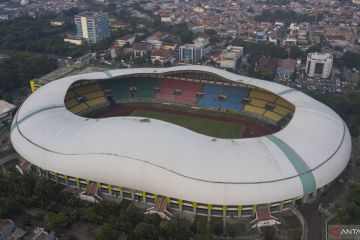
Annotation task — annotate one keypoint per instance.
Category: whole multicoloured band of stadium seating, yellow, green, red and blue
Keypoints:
(261, 103)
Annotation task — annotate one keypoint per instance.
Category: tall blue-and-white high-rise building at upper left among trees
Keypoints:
(92, 26)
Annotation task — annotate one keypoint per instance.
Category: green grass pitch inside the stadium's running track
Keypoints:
(207, 127)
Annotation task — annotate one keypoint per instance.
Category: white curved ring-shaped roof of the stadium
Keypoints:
(169, 160)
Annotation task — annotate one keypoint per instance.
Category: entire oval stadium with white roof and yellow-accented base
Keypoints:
(208, 141)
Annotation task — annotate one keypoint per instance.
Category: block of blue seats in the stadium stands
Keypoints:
(232, 101)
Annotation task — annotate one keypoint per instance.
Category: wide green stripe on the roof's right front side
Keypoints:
(307, 178)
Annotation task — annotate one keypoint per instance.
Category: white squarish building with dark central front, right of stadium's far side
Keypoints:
(319, 65)
